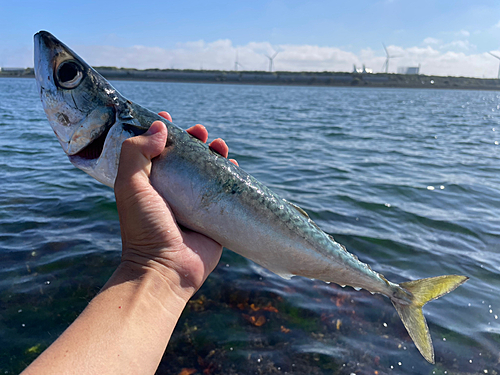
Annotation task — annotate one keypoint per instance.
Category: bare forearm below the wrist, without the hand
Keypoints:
(124, 330)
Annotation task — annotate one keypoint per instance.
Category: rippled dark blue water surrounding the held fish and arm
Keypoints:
(408, 180)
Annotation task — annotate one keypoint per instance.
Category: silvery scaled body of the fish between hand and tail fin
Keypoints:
(214, 197)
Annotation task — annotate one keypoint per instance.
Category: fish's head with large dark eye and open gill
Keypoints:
(83, 109)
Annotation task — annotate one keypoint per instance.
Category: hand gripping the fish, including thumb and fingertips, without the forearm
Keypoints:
(151, 238)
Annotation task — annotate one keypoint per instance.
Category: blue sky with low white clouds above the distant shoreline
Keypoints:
(442, 37)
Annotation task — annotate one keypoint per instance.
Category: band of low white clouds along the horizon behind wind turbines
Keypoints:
(433, 56)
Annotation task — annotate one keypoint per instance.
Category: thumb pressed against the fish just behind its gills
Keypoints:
(136, 155)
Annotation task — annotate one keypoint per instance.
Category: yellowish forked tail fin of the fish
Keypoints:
(423, 291)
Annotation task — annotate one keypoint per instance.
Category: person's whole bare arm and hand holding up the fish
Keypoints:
(126, 327)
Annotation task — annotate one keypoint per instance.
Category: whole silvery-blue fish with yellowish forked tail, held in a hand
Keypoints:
(206, 192)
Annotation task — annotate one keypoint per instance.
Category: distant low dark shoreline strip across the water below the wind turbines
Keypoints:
(326, 79)
